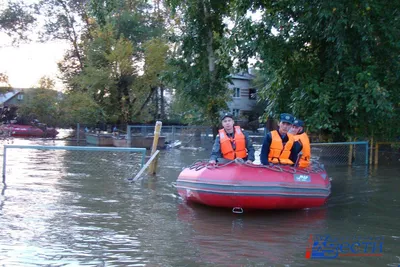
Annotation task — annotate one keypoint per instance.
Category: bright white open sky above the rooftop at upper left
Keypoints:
(26, 64)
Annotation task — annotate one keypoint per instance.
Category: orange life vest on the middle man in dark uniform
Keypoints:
(278, 153)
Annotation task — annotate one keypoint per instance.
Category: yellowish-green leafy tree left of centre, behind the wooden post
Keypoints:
(112, 51)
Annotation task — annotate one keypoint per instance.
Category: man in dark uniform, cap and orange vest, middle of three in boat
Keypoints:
(279, 146)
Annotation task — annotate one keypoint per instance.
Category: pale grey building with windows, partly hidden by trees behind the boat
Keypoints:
(244, 95)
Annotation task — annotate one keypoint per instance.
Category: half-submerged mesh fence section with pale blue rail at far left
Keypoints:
(72, 160)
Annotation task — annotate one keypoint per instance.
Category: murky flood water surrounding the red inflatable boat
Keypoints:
(65, 209)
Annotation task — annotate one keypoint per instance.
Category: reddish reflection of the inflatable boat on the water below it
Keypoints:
(276, 237)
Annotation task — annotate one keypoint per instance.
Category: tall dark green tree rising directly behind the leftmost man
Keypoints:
(198, 74)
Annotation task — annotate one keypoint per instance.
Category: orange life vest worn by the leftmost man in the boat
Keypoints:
(226, 144)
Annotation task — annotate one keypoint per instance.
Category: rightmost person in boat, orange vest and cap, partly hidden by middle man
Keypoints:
(301, 137)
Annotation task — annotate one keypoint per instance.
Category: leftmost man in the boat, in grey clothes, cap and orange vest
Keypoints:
(231, 142)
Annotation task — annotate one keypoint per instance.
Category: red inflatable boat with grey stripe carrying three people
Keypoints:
(242, 186)
